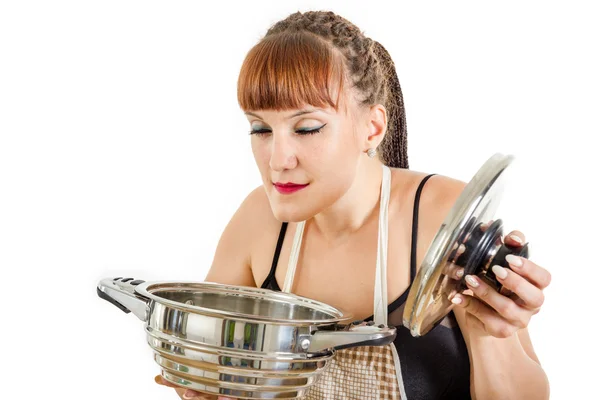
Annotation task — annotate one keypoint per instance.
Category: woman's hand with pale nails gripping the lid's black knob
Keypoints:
(499, 315)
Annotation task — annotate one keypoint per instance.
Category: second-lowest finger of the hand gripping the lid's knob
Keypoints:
(504, 306)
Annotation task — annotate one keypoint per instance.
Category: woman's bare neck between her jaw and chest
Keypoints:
(355, 208)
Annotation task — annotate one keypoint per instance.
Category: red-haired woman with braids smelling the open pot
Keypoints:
(328, 133)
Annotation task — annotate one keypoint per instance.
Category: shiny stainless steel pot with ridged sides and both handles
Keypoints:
(238, 341)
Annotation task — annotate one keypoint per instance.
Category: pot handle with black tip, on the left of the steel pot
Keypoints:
(121, 292)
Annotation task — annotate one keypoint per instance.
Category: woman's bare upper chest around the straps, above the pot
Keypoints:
(343, 273)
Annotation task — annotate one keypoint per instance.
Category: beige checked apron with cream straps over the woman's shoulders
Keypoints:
(367, 372)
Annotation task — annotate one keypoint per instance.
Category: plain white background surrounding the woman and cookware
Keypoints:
(123, 152)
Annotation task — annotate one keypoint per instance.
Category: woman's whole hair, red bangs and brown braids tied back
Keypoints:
(299, 60)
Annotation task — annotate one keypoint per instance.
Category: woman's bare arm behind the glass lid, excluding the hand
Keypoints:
(503, 362)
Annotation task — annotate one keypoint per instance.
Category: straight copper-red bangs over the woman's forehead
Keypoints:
(288, 70)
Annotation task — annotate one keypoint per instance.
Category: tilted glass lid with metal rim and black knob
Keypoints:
(470, 227)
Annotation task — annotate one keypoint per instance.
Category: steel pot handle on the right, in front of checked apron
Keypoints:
(359, 333)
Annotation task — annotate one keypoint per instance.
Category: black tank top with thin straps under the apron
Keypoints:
(434, 366)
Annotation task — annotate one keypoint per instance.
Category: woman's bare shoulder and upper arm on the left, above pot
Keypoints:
(232, 263)
